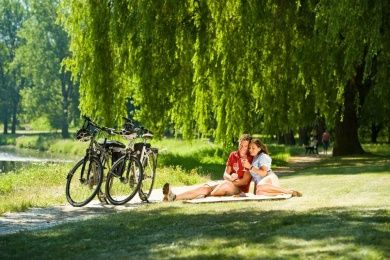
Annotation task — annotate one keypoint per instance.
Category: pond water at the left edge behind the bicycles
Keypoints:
(12, 158)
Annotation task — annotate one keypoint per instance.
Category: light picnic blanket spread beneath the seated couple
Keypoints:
(248, 197)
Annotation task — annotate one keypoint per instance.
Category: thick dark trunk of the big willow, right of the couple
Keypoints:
(346, 140)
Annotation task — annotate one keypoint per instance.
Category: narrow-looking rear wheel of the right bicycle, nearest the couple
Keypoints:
(149, 165)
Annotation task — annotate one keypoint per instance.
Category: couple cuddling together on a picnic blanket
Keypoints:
(250, 161)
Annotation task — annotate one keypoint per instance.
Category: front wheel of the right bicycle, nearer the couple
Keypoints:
(123, 180)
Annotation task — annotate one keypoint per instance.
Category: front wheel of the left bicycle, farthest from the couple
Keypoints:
(84, 181)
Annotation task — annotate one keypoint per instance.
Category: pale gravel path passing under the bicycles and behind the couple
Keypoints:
(42, 218)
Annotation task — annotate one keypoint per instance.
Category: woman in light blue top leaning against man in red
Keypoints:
(267, 183)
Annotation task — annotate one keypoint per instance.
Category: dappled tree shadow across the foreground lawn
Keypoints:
(168, 232)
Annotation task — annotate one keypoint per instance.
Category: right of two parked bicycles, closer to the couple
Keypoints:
(119, 185)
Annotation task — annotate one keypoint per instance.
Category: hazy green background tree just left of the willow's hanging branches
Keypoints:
(51, 92)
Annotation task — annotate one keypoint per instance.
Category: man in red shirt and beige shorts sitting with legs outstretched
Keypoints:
(236, 177)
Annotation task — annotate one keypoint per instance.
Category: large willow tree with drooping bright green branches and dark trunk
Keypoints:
(225, 67)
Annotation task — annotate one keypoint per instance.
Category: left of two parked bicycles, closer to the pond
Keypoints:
(84, 180)
